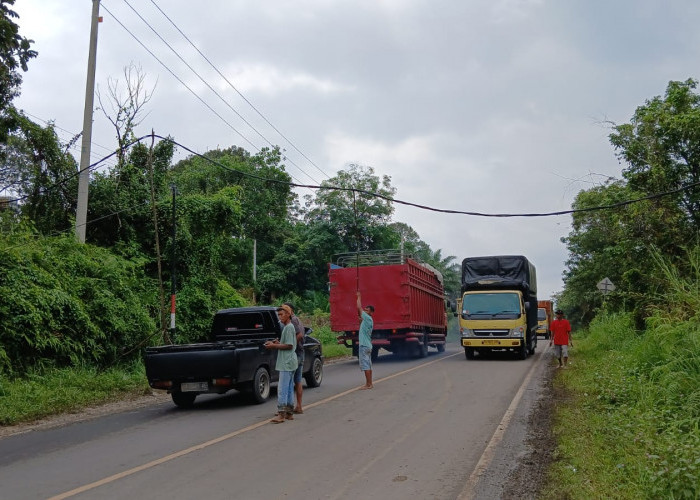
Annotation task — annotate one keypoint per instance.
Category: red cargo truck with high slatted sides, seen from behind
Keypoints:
(407, 295)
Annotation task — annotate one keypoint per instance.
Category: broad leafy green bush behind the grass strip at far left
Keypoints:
(63, 304)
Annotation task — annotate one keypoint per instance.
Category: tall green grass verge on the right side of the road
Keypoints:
(628, 416)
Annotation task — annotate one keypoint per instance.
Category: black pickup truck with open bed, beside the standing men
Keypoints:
(233, 359)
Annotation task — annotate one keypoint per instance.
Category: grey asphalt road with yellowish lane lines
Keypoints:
(440, 427)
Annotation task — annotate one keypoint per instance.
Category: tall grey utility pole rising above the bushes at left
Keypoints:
(84, 179)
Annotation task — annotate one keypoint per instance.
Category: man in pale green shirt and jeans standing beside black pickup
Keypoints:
(286, 365)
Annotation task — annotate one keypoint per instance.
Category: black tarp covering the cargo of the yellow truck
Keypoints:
(502, 271)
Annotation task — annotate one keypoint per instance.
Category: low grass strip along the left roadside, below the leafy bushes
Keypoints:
(54, 391)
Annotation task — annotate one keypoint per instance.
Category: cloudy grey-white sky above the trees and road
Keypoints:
(491, 106)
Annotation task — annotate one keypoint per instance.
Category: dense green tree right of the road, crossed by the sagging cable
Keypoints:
(661, 149)
